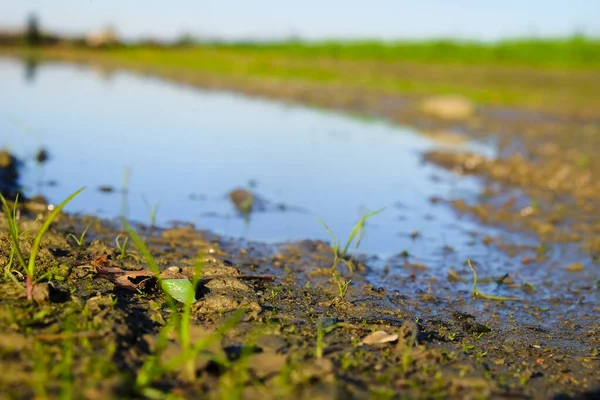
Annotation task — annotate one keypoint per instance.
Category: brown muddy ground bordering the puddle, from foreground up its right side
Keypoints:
(95, 326)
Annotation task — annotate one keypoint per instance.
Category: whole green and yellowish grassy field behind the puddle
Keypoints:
(561, 76)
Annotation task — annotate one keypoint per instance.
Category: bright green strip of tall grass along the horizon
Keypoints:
(575, 52)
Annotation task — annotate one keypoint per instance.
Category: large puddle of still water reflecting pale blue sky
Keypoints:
(185, 150)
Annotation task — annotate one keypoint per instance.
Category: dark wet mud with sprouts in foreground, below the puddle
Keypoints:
(98, 314)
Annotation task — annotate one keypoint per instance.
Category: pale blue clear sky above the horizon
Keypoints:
(313, 19)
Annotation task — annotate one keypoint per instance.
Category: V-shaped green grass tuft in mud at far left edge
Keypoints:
(13, 227)
